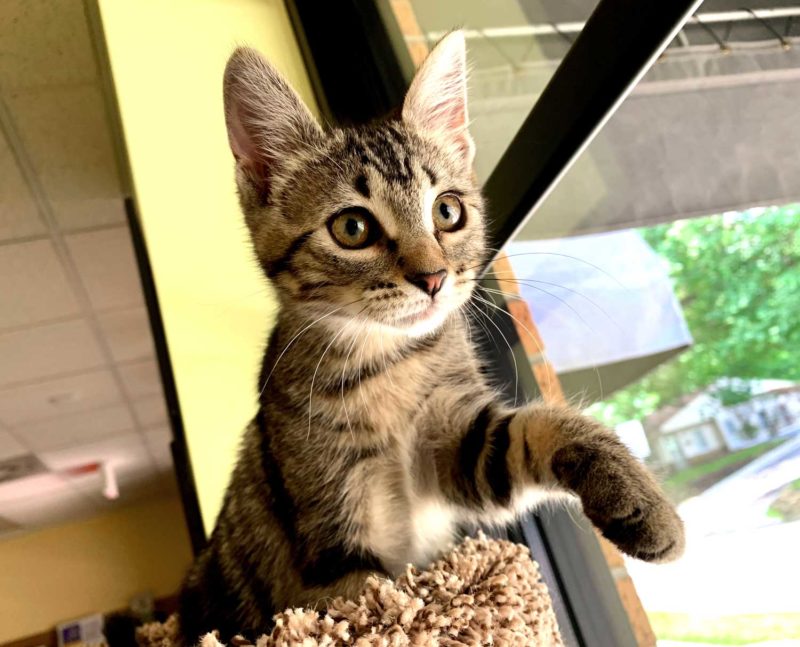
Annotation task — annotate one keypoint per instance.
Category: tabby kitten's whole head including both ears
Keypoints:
(382, 224)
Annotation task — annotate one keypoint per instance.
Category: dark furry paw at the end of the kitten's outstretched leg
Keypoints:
(620, 498)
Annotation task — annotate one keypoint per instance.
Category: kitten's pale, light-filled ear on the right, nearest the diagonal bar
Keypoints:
(436, 102)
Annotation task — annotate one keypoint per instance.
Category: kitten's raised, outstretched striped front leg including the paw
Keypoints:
(499, 455)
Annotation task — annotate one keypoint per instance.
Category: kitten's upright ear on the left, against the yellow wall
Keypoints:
(267, 122)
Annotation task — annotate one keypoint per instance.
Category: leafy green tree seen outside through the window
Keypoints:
(737, 276)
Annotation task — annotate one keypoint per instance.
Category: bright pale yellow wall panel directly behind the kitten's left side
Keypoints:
(167, 60)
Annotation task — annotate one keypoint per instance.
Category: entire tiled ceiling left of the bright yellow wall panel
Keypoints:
(80, 391)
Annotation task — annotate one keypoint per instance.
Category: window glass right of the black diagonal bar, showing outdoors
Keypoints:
(663, 276)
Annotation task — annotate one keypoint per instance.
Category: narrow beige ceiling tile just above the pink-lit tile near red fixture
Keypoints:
(76, 428)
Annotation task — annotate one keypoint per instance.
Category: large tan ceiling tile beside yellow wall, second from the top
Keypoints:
(65, 132)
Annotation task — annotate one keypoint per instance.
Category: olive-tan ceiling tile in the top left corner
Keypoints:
(39, 37)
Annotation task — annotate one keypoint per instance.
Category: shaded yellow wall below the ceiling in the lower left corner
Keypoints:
(68, 571)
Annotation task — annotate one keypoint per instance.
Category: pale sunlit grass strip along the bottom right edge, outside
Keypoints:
(726, 630)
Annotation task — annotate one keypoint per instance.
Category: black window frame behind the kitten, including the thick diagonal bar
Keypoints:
(360, 71)
